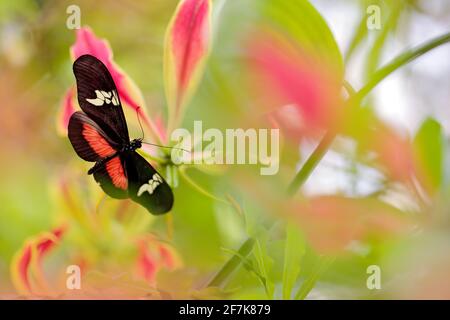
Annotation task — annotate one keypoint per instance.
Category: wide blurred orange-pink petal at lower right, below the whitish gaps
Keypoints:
(332, 223)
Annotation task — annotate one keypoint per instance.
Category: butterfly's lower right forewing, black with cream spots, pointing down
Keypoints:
(146, 186)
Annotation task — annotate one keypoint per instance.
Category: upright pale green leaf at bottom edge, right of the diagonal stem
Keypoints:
(293, 254)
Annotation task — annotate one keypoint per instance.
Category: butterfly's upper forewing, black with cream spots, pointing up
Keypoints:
(98, 97)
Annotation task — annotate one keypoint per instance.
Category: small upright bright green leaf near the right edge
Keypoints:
(429, 146)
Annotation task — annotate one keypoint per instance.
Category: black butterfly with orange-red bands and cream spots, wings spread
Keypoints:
(99, 134)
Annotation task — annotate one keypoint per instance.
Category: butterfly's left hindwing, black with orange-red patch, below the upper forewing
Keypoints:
(90, 142)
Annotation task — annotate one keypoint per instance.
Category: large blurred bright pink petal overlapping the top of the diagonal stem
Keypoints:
(287, 75)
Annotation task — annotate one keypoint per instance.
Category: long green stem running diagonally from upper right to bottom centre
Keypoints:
(300, 178)
